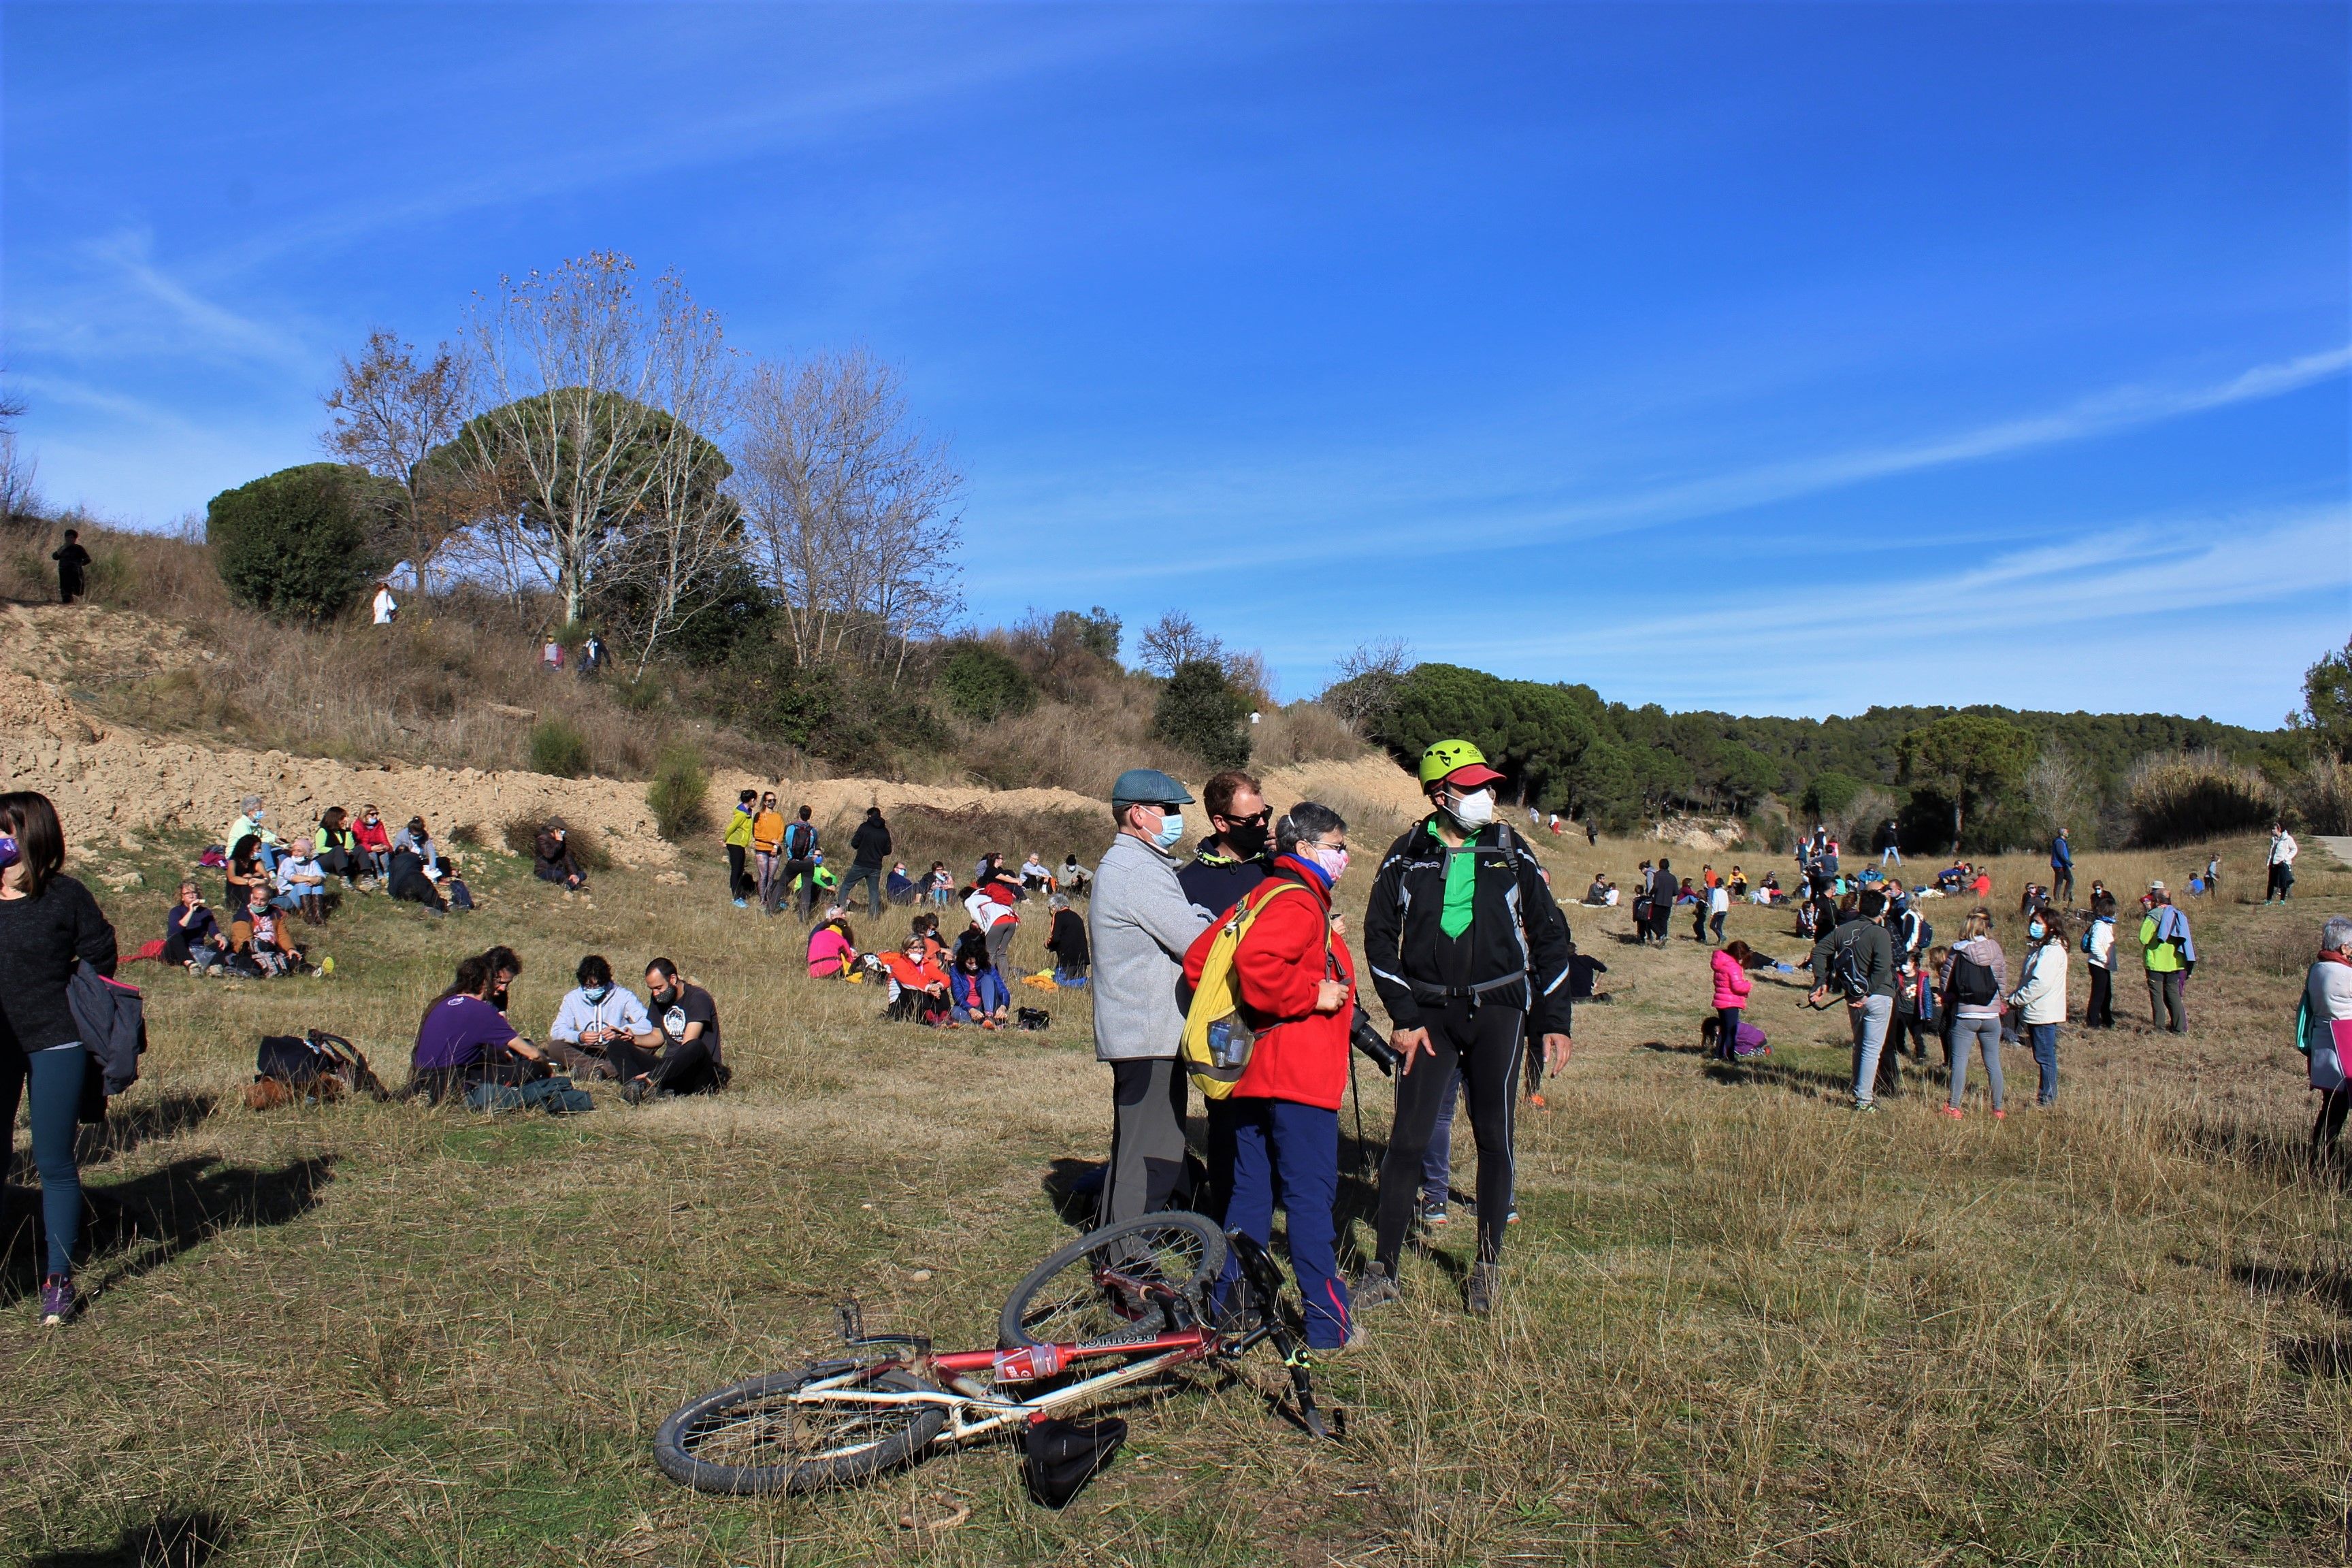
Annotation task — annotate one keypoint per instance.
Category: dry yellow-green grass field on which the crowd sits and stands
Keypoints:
(1742, 1325)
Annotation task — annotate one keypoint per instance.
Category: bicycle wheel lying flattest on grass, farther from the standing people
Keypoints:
(761, 1438)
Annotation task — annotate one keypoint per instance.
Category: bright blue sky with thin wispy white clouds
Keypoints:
(1768, 359)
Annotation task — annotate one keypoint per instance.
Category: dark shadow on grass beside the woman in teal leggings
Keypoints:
(145, 1224)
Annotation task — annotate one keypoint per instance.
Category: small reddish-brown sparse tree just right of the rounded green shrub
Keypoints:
(389, 415)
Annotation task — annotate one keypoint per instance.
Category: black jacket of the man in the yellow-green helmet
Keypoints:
(1415, 965)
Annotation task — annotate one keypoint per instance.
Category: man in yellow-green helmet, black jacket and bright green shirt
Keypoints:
(1464, 942)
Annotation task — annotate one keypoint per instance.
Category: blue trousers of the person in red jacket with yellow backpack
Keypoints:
(1288, 1153)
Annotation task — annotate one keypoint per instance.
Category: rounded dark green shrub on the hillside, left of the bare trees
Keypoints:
(302, 542)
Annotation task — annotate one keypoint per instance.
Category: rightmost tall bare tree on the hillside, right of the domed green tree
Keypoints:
(850, 511)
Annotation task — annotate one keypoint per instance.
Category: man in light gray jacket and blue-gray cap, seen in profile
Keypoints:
(1140, 927)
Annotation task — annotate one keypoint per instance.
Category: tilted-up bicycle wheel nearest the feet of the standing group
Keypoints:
(1137, 1278)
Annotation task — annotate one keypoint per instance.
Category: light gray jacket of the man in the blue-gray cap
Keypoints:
(1140, 925)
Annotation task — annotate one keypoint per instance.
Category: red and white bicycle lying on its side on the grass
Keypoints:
(1114, 1311)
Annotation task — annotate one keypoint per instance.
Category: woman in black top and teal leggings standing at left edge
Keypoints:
(48, 923)
